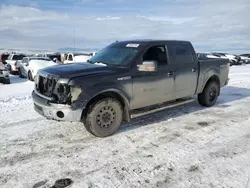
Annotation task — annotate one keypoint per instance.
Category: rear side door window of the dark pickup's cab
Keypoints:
(181, 53)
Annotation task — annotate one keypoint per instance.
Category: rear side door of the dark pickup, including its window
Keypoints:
(185, 69)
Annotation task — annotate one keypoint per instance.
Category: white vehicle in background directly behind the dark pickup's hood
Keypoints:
(77, 57)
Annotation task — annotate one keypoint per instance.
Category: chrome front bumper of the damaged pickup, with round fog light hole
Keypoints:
(53, 111)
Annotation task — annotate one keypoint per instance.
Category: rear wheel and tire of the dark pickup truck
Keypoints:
(209, 95)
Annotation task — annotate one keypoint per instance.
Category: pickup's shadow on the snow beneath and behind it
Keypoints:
(228, 94)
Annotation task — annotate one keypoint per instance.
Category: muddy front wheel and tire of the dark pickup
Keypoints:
(104, 117)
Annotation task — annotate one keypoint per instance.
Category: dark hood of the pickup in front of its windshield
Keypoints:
(69, 71)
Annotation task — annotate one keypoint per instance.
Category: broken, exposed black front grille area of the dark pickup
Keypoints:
(46, 85)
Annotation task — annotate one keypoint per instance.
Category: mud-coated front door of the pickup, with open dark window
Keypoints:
(150, 88)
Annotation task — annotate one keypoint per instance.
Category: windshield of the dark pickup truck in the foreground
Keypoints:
(114, 56)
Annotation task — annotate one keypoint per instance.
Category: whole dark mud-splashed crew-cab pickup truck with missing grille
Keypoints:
(123, 77)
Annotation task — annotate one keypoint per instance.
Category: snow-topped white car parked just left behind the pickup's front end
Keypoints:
(29, 66)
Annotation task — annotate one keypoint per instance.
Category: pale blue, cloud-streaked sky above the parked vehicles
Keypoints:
(212, 25)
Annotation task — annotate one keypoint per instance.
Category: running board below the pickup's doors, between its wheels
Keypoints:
(161, 107)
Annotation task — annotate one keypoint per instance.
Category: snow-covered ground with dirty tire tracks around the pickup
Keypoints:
(182, 147)
